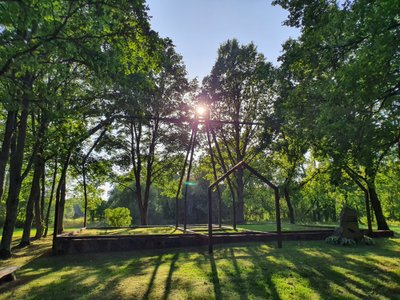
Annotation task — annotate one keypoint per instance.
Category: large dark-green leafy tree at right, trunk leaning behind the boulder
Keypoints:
(345, 90)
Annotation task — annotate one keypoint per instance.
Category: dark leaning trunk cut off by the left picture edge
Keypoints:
(5, 147)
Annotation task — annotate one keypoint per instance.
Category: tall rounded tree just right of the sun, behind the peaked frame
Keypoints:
(239, 87)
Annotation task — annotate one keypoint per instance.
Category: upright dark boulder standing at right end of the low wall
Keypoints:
(349, 224)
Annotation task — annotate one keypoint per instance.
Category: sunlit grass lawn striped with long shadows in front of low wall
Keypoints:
(300, 270)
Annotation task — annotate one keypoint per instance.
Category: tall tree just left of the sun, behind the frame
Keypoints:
(150, 146)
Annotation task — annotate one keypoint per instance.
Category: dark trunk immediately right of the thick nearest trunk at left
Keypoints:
(34, 197)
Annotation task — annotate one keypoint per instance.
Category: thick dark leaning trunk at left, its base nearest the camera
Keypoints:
(16, 161)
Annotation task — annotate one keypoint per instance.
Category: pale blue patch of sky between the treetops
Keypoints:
(198, 27)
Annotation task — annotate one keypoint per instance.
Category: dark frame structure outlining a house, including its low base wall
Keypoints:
(211, 137)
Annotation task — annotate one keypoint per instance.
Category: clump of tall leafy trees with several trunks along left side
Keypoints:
(57, 63)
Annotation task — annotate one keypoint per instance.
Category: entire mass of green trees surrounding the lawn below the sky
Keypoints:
(92, 97)
